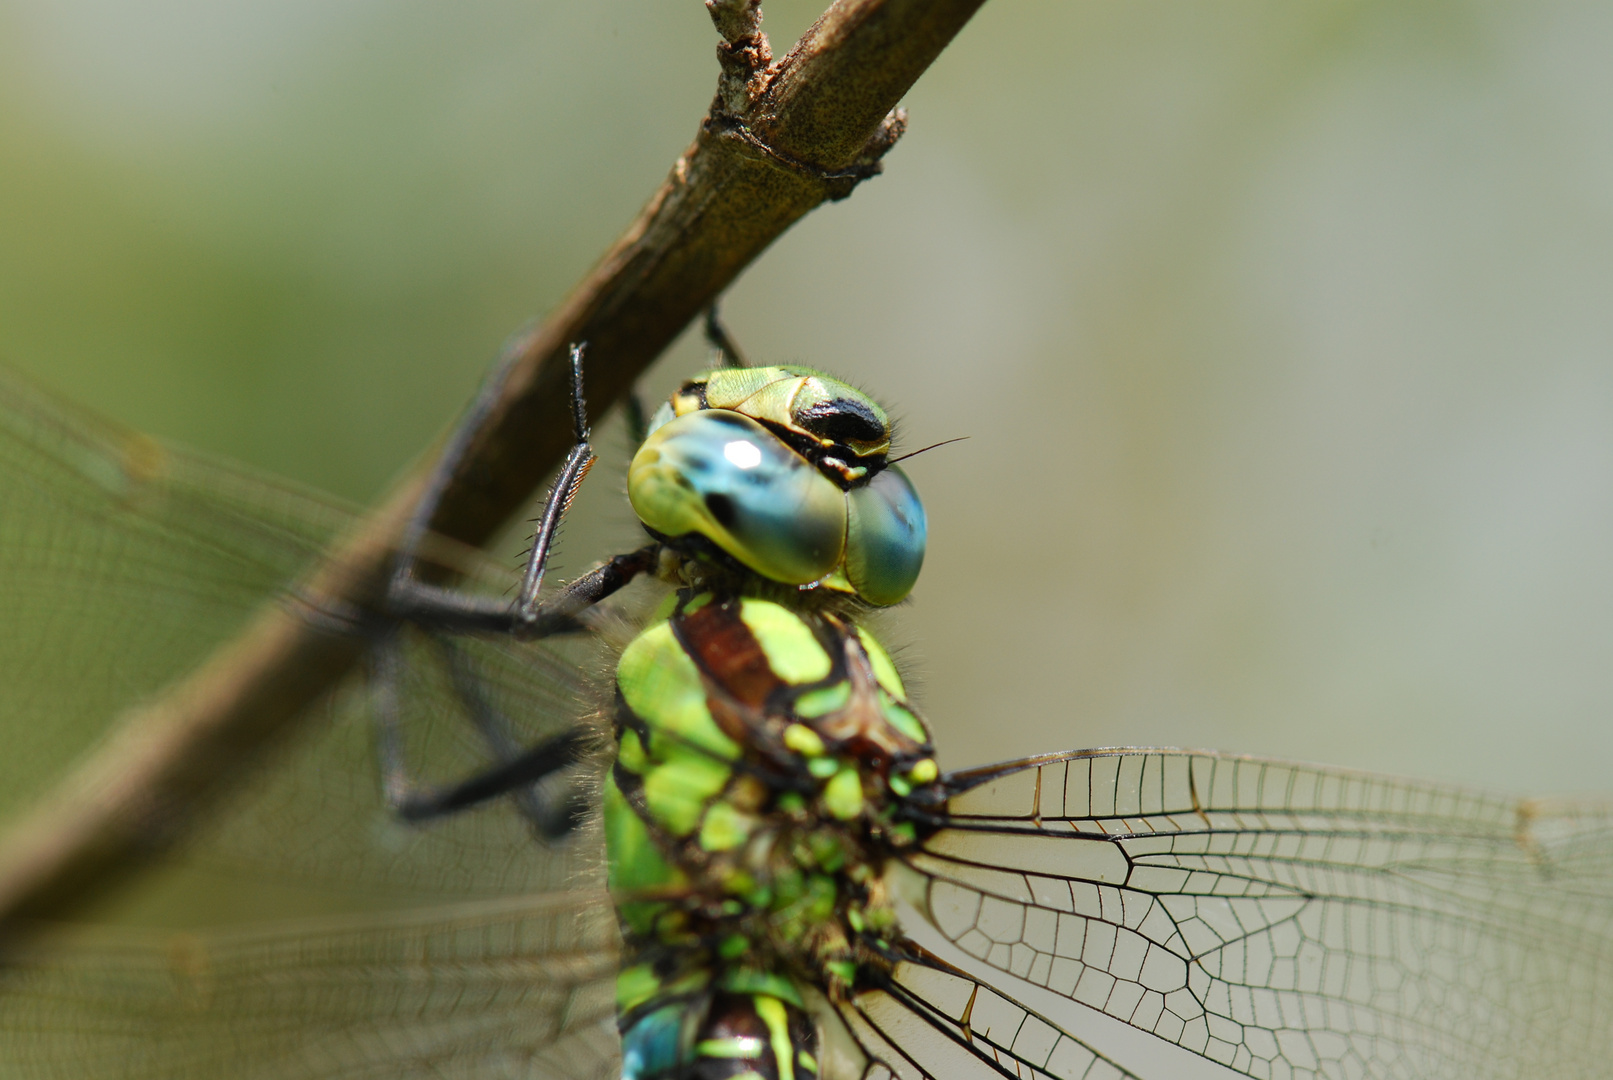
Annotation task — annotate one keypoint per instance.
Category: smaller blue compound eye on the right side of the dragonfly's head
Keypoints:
(885, 542)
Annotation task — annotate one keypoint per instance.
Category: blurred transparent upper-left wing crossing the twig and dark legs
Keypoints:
(123, 563)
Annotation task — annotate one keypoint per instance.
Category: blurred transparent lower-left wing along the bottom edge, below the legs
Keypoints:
(480, 991)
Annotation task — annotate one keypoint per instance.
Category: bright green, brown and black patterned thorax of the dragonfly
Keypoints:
(764, 766)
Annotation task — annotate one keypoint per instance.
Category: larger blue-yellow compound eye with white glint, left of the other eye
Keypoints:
(727, 478)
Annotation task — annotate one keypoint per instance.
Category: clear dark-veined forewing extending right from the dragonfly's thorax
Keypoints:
(1278, 920)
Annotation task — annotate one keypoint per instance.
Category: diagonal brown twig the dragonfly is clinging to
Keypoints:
(780, 139)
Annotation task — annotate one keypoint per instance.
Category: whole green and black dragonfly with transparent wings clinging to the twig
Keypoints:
(1075, 916)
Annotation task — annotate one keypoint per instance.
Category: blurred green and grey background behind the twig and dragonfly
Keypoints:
(1282, 331)
